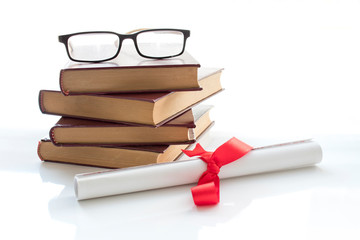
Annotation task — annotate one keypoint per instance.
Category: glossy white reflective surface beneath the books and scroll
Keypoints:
(320, 202)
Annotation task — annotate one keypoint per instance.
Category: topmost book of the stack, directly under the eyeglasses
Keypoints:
(130, 72)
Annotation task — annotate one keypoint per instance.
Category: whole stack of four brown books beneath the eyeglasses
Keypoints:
(127, 112)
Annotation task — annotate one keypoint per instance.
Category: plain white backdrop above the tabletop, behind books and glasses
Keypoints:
(290, 66)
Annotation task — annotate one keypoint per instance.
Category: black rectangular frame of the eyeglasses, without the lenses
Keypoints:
(64, 39)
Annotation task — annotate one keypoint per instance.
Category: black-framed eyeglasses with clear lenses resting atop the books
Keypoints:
(102, 46)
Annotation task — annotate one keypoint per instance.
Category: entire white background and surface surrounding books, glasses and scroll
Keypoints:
(291, 68)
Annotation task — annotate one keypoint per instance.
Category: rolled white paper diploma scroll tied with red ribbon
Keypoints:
(259, 160)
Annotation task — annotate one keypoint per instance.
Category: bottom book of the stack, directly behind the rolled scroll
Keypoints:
(117, 157)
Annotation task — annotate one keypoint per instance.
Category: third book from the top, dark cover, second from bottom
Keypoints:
(180, 130)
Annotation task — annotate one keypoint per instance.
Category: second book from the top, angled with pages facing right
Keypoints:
(153, 109)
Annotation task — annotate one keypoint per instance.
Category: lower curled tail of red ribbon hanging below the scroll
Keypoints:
(207, 194)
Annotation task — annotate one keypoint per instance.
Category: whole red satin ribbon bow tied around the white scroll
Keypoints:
(207, 190)
